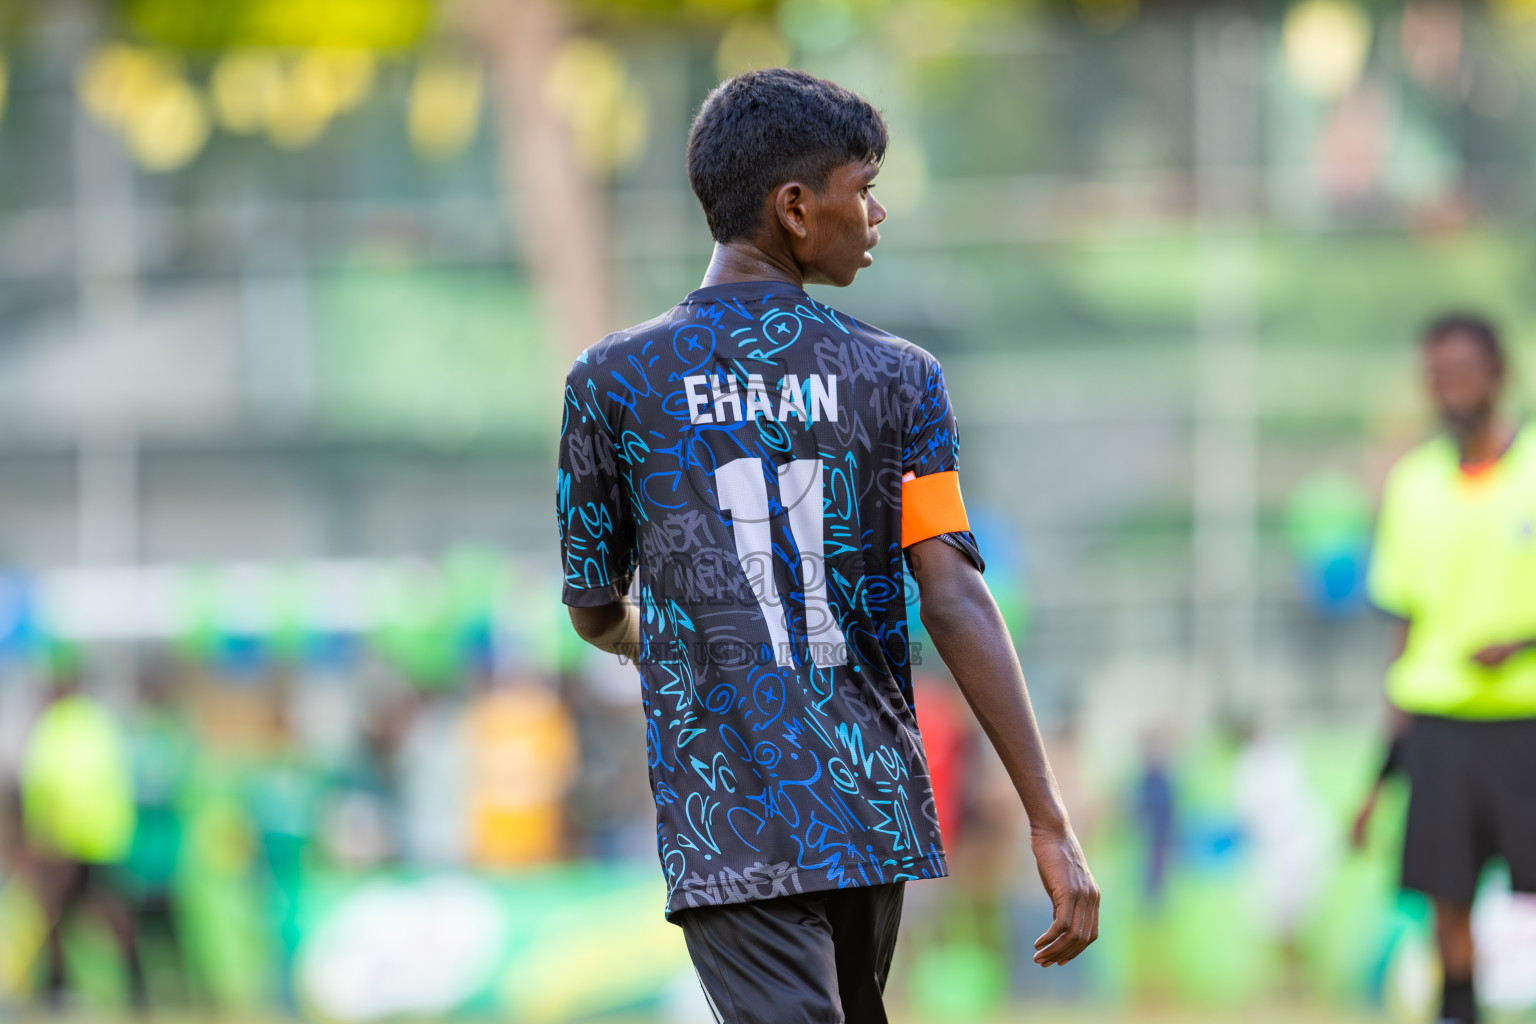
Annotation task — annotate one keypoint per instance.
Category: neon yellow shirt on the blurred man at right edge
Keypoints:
(1457, 555)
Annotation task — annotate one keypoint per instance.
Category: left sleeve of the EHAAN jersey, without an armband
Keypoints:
(597, 529)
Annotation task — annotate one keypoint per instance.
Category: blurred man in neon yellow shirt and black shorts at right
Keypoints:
(1455, 563)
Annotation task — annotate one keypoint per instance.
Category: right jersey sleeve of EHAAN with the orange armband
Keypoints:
(932, 503)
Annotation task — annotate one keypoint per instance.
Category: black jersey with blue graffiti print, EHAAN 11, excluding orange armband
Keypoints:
(740, 464)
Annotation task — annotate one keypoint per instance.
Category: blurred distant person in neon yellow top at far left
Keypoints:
(78, 808)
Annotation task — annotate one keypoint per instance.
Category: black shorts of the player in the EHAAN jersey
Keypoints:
(813, 959)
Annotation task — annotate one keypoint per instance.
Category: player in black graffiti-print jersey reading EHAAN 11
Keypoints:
(763, 463)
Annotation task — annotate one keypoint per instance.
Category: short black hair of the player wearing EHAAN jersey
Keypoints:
(764, 128)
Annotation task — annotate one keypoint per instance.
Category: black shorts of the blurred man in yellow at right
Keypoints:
(1472, 799)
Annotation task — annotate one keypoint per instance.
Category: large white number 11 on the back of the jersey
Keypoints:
(744, 494)
